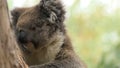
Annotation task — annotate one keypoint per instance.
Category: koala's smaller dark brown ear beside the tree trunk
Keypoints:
(15, 15)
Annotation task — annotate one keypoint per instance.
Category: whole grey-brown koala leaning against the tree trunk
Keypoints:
(42, 37)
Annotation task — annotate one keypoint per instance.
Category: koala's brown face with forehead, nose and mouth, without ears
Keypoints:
(31, 28)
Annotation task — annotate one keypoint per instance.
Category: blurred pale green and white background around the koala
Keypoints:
(94, 28)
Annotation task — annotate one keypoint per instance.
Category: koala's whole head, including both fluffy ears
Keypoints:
(39, 25)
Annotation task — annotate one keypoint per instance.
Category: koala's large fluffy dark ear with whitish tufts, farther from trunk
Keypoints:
(53, 10)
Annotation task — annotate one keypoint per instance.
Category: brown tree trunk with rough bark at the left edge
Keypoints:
(10, 56)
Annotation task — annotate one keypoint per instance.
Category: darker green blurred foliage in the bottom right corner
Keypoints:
(111, 59)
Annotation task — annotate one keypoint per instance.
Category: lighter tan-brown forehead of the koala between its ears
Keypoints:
(30, 15)
